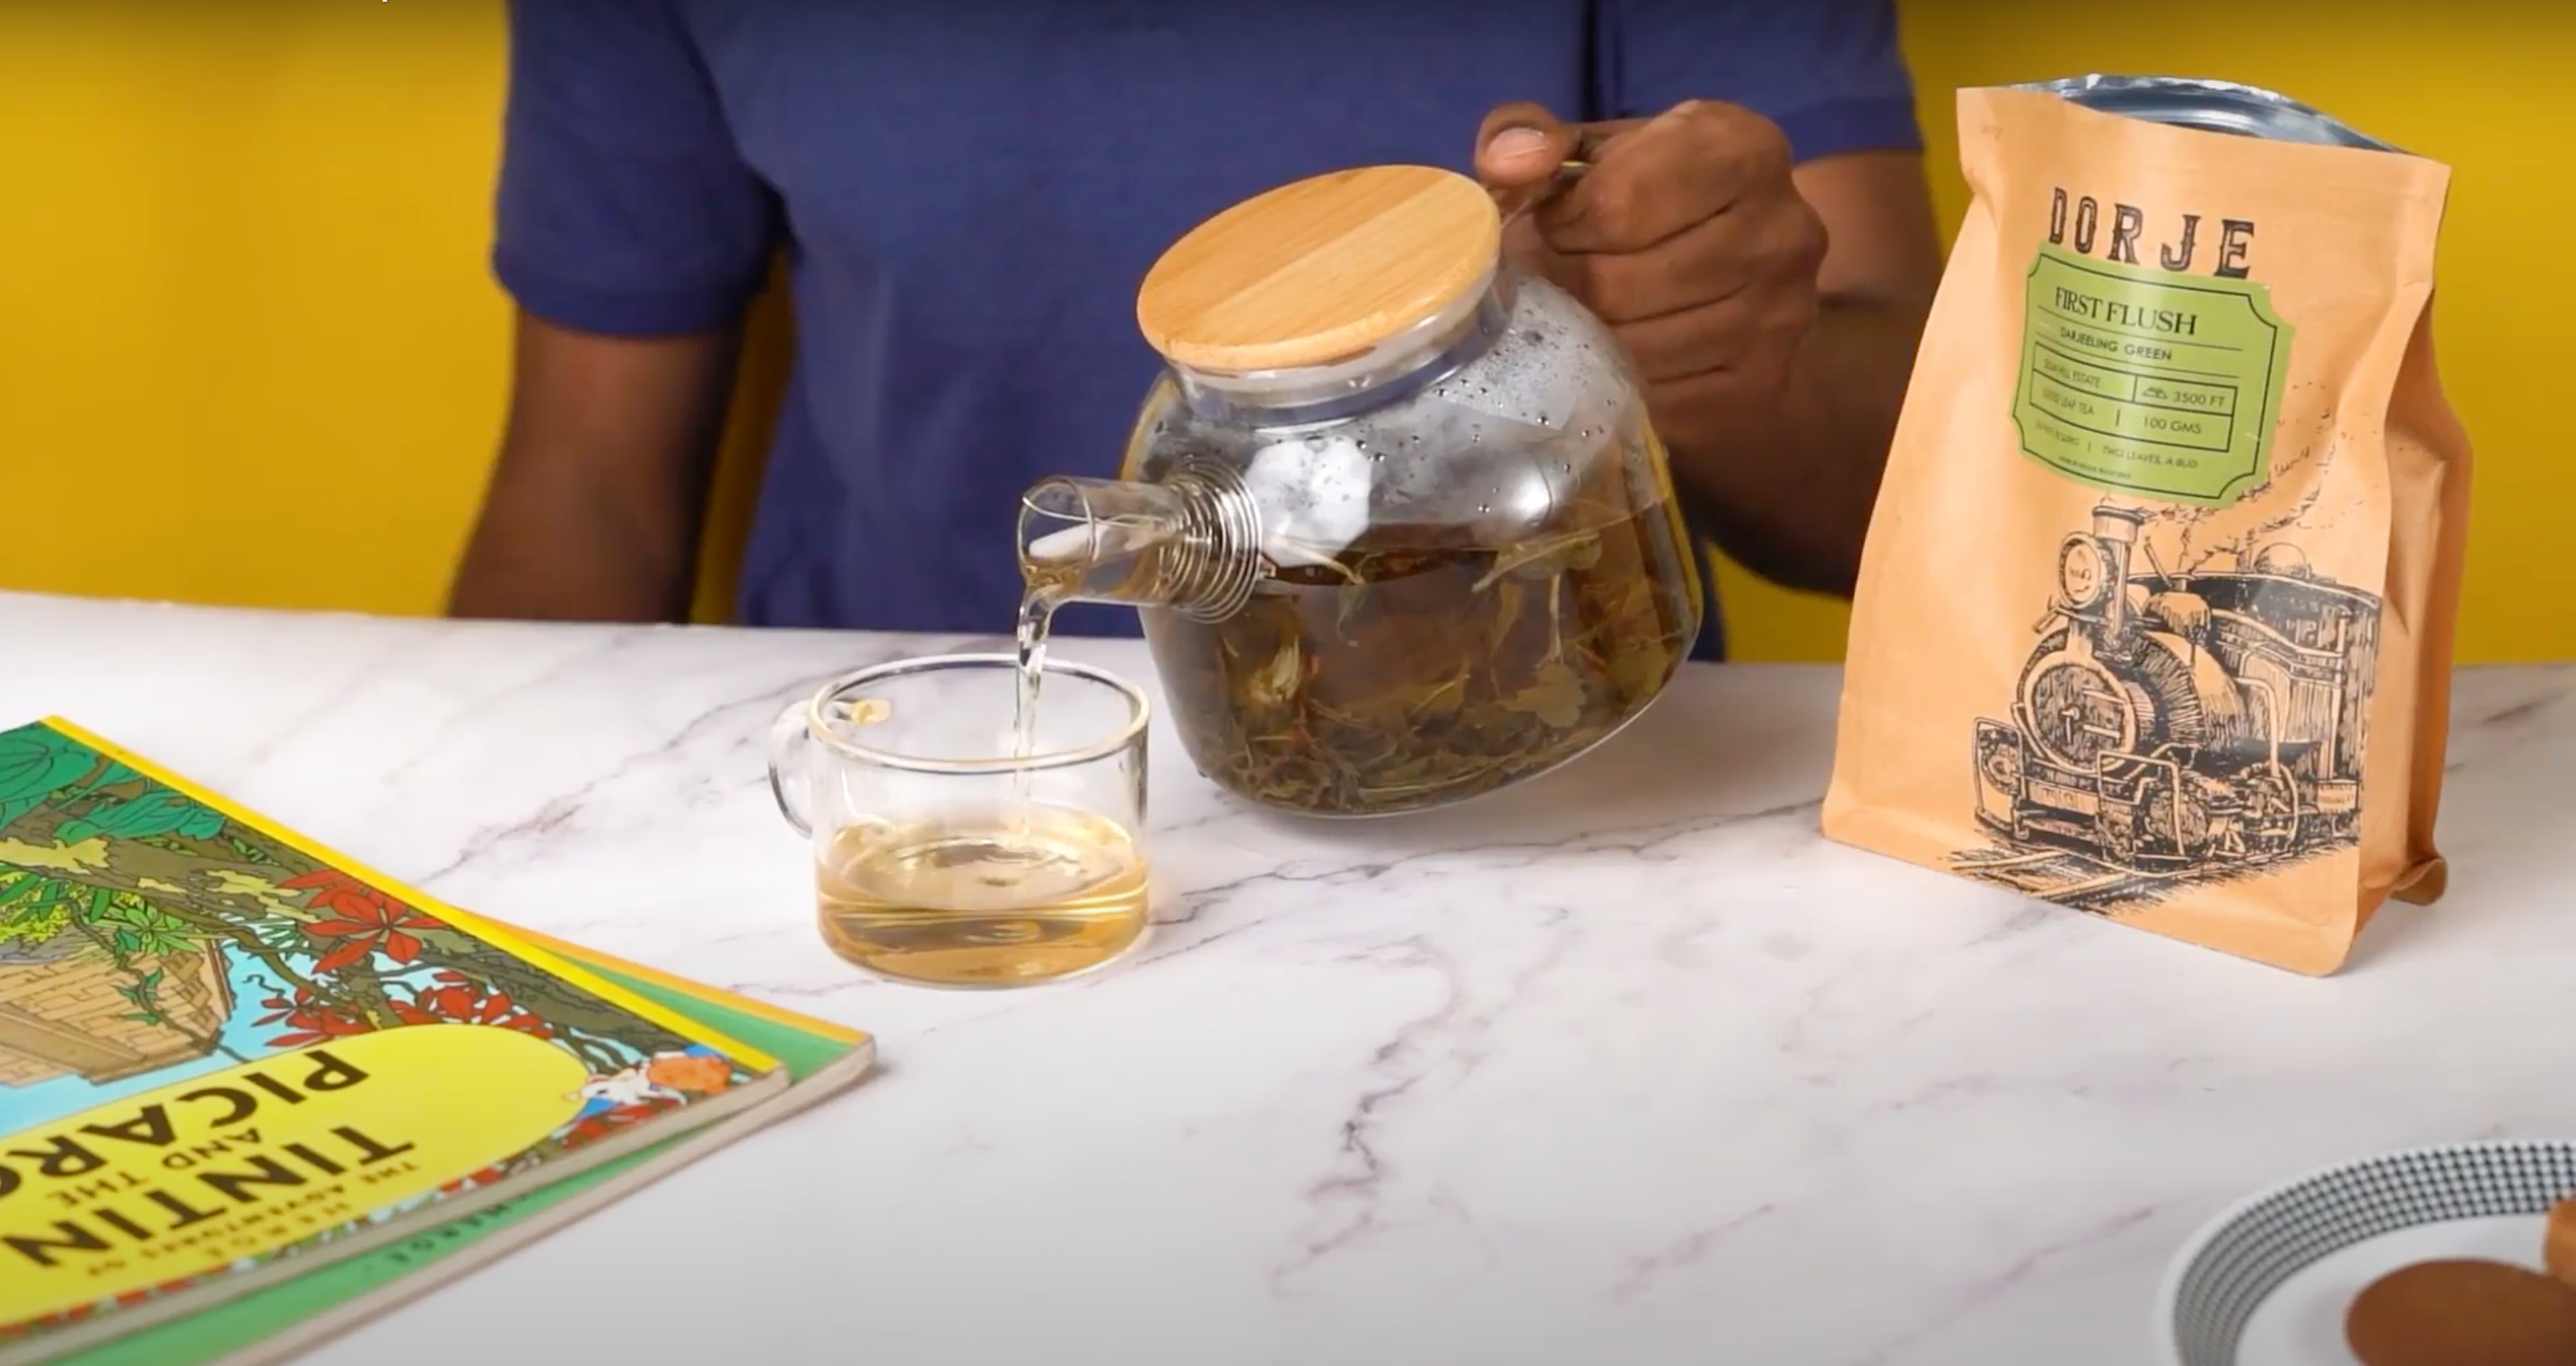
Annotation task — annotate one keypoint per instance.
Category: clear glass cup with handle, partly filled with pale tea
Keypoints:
(944, 857)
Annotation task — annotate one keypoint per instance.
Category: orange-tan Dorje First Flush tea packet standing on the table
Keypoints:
(2157, 607)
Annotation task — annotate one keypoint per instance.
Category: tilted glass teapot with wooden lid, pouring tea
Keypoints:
(1392, 514)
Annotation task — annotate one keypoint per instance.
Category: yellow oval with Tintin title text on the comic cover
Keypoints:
(238, 1164)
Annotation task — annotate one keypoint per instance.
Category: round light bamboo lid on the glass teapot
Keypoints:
(1320, 269)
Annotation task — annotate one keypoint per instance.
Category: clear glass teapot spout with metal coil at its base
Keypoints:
(1186, 543)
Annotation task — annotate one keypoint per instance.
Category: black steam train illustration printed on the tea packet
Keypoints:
(2186, 723)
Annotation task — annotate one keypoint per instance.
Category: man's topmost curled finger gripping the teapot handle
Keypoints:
(1663, 177)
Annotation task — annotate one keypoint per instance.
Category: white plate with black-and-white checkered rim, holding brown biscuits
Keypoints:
(2268, 1282)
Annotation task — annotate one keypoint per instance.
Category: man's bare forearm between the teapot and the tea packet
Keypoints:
(1786, 481)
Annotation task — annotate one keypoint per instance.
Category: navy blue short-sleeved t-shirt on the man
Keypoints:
(970, 192)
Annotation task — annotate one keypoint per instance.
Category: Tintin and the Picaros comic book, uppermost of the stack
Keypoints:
(233, 1061)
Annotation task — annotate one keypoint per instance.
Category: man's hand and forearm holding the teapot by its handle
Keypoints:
(1774, 357)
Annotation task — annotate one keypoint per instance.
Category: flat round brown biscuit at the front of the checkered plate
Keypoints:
(2464, 1313)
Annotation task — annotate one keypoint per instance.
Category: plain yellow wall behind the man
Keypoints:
(251, 354)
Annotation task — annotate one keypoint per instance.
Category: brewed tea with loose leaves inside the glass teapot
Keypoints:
(1423, 669)
